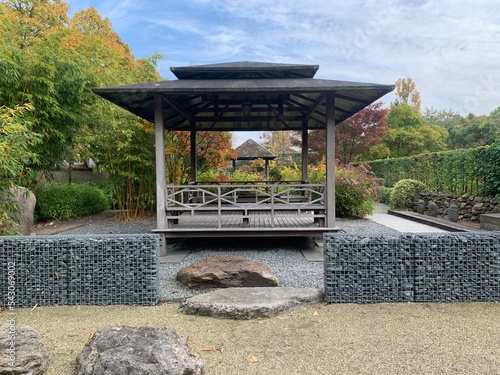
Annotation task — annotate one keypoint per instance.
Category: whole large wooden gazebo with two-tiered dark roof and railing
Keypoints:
(245, 96)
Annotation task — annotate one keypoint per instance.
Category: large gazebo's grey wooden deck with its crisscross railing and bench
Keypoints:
(245, 211)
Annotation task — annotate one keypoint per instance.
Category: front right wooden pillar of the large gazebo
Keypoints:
(330, 160)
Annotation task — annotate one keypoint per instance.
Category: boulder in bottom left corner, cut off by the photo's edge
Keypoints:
(21, 350)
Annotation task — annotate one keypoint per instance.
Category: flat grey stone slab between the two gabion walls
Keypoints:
(249, 303)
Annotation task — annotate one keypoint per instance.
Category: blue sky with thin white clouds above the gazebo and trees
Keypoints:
(450, 48)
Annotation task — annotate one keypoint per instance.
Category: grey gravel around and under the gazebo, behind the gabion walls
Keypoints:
(282, 255)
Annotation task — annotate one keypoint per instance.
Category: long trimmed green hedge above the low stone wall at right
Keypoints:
(475, 171)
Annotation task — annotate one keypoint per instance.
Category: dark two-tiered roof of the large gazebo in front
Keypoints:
(281, 96)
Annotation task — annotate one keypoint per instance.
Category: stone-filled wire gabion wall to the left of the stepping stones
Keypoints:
(79, 270)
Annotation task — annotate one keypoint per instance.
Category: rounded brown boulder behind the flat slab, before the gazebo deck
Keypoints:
(226, 271)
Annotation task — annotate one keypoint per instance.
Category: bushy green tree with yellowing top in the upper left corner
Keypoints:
(37, 71)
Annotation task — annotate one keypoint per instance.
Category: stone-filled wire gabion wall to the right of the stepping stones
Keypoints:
(427, 267)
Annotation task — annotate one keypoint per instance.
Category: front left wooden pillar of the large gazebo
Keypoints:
(161, 219)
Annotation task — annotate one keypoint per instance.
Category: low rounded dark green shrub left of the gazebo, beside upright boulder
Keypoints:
(66, 201)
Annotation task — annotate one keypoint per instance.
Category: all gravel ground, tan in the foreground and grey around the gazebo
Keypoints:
(396, 338)
